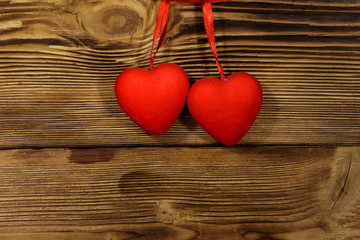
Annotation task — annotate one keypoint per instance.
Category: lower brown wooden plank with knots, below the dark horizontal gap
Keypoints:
(180, 193)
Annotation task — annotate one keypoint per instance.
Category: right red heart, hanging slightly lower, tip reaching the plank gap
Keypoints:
(226, 109)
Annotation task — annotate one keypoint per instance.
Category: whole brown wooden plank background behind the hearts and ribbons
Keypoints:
(73, 166)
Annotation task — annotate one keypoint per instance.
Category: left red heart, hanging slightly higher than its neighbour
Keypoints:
(154, 98)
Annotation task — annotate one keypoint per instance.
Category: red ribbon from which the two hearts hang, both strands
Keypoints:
(161, 25)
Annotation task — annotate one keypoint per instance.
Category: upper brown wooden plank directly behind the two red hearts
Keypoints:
(59, 60)
